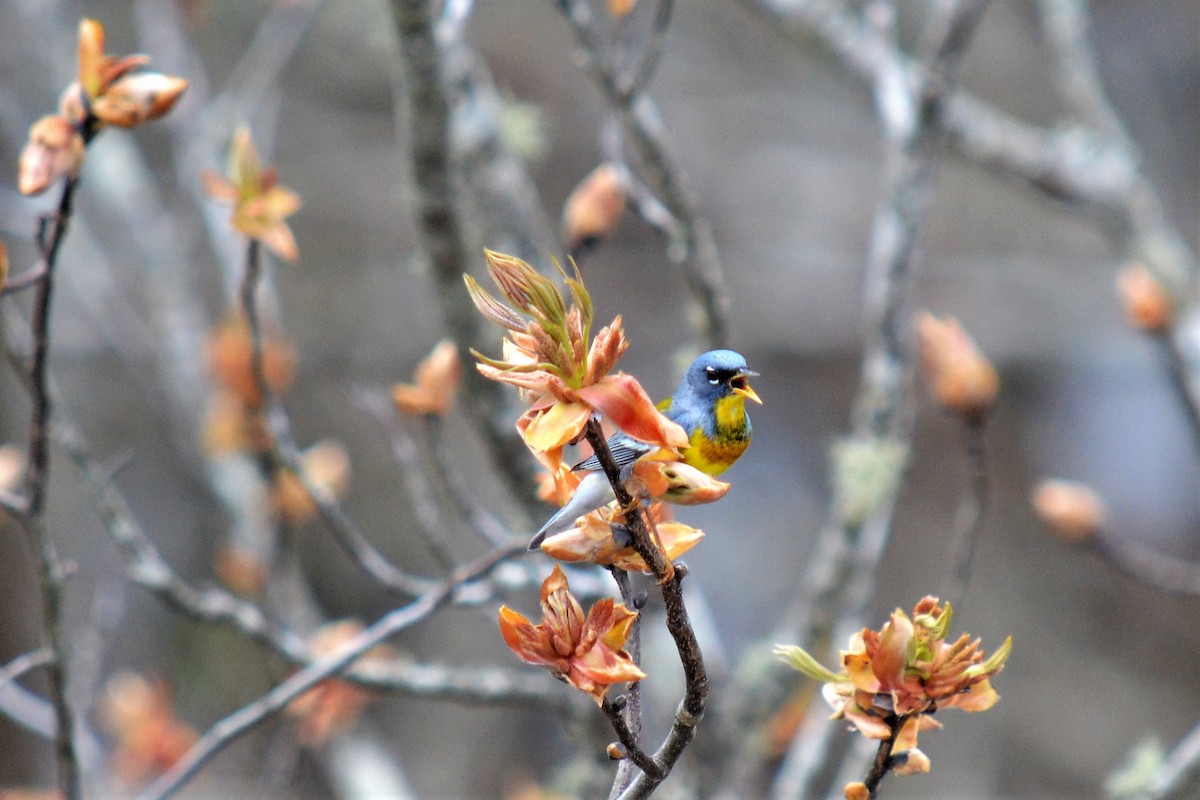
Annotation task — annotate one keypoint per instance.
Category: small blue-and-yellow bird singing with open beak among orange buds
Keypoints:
(710, 406)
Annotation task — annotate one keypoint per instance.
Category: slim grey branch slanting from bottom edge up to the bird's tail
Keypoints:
(230, 729)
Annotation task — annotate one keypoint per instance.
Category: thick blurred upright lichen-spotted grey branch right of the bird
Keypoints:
(911, 107)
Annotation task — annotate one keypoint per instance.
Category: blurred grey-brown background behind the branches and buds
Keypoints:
(782, 149)
